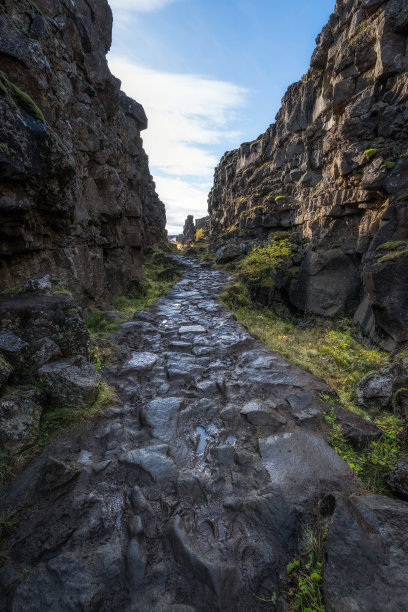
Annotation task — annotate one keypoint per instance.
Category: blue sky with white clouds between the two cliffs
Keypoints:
(210, 74)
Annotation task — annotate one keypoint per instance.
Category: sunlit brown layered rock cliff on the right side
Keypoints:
(333, 170)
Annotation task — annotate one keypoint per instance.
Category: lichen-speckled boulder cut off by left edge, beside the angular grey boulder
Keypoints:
(19, 421)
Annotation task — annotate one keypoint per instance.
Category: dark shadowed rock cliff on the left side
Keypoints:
(76, 196)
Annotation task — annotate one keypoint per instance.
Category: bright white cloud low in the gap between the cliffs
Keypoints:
(189, 117)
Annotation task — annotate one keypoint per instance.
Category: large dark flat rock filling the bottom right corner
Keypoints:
(365, 553)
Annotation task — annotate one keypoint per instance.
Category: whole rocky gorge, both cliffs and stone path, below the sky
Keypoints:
(155, 454)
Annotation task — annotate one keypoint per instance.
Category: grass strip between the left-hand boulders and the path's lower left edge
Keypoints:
(54, 422)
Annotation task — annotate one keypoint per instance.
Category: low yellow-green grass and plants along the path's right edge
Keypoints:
(333, 351)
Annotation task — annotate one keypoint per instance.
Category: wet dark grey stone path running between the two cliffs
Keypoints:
(195, 491)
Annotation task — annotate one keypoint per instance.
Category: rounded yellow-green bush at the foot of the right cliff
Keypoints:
(260, 264)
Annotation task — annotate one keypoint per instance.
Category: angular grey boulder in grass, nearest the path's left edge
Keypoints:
(70, 382)
